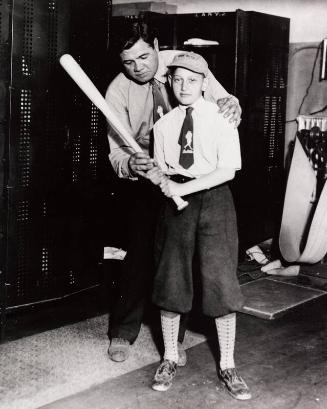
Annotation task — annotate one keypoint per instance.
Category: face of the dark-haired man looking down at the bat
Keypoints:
(140, 62)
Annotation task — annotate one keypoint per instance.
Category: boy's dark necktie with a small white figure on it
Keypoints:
(186, 158)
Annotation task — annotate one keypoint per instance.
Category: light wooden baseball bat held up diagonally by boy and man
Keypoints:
(75, 71)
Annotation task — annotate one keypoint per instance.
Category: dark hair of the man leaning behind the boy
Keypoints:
(130, 31)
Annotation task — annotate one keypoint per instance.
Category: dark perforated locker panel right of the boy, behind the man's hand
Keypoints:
(261, 86)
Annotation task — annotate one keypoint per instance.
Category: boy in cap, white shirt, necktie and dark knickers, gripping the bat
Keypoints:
(199, 150)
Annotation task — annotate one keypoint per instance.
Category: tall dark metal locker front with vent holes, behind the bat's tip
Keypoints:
(56, 150)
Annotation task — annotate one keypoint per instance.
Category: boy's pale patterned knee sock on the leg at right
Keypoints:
(226, 330)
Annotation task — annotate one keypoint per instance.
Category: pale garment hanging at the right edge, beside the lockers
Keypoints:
(303, 234)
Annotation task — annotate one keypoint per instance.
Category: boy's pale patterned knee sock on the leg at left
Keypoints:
(170, 327)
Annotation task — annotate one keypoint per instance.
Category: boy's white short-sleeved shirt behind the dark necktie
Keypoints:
(215, 143)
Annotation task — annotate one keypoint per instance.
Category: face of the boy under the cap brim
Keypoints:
(187, 85)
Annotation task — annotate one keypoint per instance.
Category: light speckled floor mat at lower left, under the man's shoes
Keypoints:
(48, 366)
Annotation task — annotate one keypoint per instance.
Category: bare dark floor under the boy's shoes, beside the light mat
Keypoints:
(284, 361)
